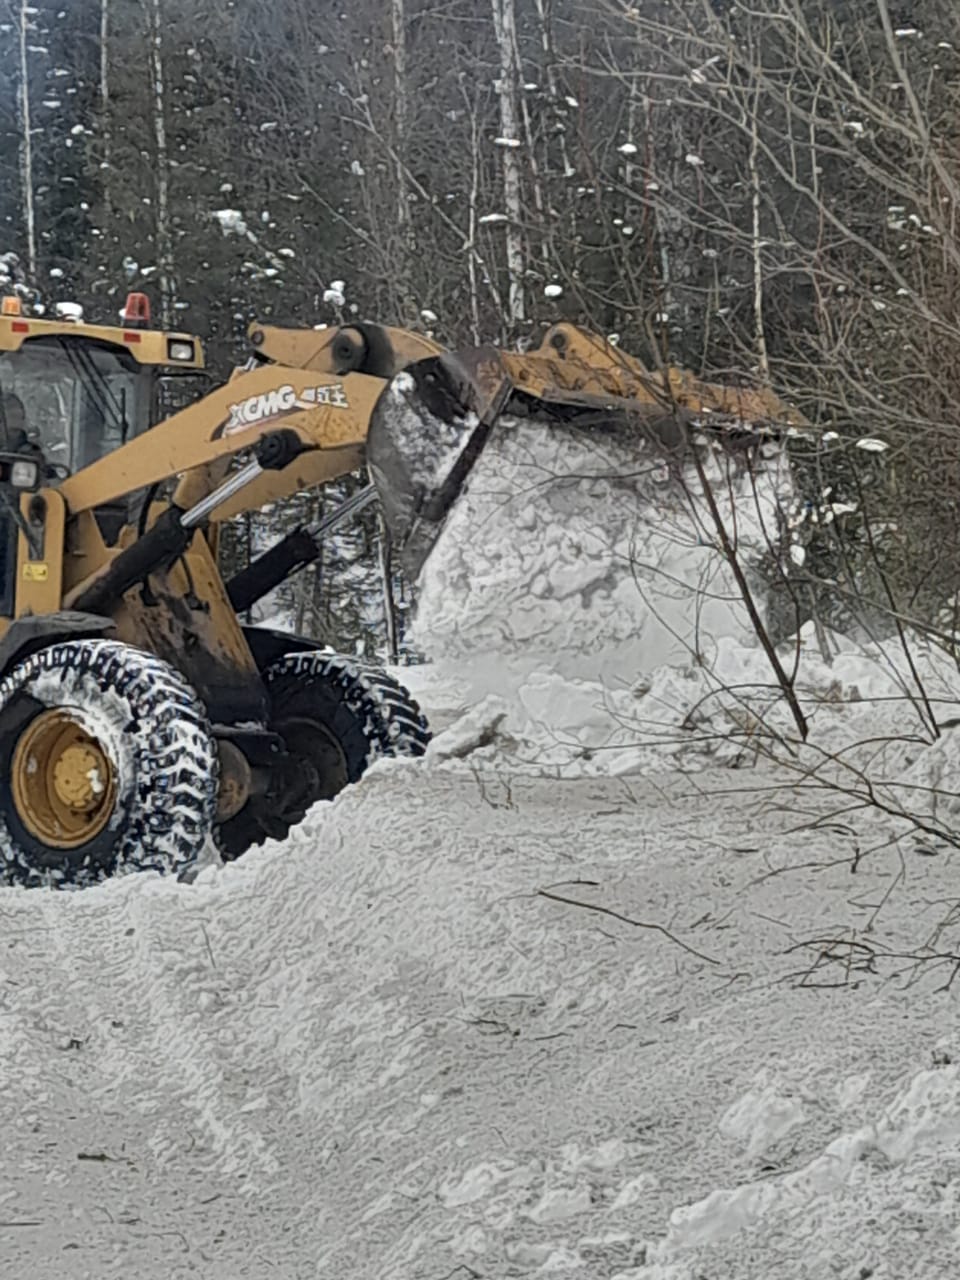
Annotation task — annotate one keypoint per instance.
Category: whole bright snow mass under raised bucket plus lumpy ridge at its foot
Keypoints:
(580, 618)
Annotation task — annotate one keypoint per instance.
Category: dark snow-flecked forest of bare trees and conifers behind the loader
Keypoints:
(764, 194)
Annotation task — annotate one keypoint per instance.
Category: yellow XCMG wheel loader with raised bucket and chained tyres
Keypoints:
(139, 717)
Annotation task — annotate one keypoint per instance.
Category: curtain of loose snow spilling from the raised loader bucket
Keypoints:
(586, 552)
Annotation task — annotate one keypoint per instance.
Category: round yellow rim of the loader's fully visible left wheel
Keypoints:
(63, 781)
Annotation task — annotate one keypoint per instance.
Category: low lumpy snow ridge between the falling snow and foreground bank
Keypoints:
(691, 716)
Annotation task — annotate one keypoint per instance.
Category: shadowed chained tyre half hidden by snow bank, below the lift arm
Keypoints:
(337, 716)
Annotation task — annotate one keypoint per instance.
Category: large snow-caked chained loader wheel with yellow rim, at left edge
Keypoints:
(107, 765)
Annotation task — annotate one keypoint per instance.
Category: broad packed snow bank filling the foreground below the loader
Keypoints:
(383, 1050)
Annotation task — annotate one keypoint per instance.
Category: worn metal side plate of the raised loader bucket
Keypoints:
(427, 432)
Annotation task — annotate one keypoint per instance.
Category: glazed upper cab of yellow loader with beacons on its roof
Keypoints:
(77, 392)
